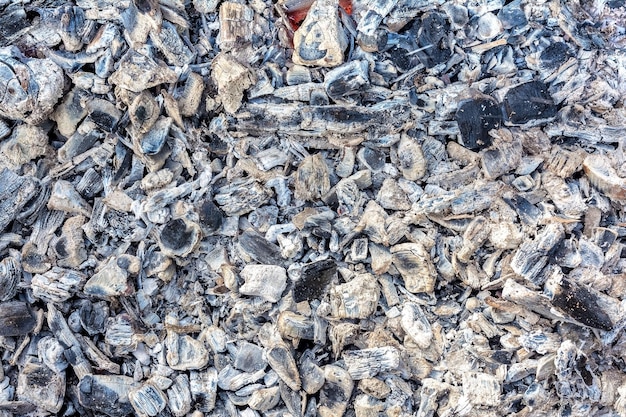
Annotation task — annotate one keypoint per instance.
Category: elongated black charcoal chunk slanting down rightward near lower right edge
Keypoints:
(581, 305)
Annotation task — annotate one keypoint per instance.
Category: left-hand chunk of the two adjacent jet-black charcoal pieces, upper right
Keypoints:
(476, 117)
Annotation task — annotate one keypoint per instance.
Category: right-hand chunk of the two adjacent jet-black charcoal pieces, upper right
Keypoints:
(528, 102)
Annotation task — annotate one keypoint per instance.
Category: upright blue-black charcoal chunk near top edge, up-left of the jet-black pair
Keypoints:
(432, 37)
